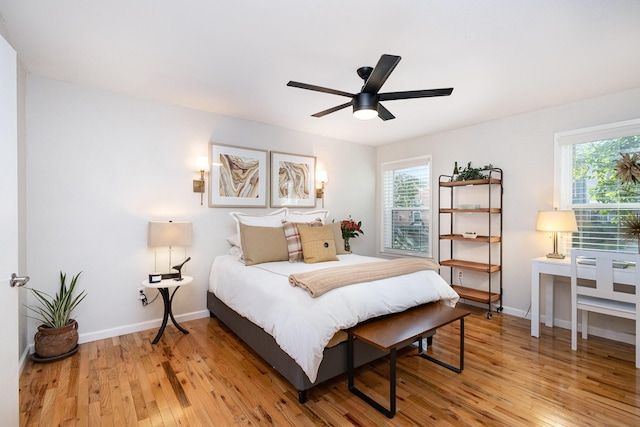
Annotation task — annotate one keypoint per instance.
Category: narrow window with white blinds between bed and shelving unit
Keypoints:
(406, 205)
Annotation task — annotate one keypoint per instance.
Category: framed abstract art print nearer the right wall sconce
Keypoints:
(293, 180)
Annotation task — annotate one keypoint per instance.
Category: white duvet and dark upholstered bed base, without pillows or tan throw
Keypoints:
(291, 339)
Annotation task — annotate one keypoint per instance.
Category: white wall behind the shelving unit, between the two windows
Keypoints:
(523, 147)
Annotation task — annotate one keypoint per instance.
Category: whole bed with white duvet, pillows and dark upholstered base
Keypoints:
(298, 332)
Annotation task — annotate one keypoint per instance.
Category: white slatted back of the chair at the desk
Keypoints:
(601, 267)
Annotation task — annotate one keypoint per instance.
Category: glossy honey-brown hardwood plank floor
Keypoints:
(210, 378)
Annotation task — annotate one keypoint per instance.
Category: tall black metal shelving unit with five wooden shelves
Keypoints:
(492, 240)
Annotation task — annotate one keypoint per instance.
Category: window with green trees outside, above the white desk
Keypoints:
(586, 182)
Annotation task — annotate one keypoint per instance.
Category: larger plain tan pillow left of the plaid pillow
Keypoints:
(263, 244)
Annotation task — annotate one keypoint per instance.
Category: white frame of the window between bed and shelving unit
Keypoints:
(423, 160)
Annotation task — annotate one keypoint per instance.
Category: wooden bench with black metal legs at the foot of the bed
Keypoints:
(389, 332)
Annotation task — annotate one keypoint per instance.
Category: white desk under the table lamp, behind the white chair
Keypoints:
(549, 267)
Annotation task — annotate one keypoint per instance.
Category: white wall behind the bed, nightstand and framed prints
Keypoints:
(100, 165)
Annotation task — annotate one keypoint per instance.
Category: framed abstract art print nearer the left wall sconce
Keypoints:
(238, 177)
